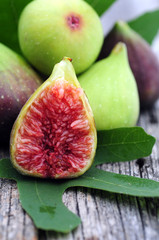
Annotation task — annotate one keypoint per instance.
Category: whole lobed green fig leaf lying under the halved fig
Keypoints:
(42, 199)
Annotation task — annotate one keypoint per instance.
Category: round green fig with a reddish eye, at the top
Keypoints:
(51, 29)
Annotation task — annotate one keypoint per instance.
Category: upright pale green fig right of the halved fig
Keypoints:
(112, 91)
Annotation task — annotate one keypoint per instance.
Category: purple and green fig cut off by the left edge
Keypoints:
(17, 82)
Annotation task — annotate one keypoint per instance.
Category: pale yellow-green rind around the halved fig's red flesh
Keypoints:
(63, 72)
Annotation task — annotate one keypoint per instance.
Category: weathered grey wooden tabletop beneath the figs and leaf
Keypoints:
(104, 215)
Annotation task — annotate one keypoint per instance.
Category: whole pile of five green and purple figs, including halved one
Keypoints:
(54, 132)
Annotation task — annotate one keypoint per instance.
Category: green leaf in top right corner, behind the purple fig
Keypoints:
(147, 25)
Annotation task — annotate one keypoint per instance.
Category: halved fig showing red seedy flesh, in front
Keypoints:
(54, 135)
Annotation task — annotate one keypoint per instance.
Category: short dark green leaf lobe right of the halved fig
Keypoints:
(123, 144)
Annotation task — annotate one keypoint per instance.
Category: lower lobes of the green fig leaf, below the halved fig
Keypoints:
(42, 199)
